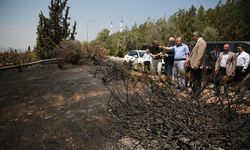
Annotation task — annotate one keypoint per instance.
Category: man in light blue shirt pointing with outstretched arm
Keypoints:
(181, 53)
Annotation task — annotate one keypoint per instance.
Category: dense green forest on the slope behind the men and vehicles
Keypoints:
(227, 21)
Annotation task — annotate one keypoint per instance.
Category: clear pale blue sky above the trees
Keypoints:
(19, 18)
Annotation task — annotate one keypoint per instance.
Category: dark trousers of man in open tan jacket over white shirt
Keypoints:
(220, 80)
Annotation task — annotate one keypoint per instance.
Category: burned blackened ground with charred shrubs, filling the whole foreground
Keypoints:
(110, 107)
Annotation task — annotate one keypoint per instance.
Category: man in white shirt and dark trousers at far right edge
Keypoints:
(242, 63)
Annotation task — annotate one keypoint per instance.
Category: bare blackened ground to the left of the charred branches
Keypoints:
(48, 108)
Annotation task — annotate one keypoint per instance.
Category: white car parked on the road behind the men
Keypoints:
(135, 57)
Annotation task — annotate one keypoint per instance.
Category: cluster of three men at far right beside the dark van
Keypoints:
(229, 66)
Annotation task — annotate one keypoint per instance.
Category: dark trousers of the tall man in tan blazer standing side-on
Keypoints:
(196, 81)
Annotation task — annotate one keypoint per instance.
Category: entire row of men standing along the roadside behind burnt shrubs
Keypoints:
(180, 58)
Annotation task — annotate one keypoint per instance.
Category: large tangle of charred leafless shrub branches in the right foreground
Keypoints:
(154, 114)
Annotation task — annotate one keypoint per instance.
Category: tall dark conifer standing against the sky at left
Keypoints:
(53, 29)
